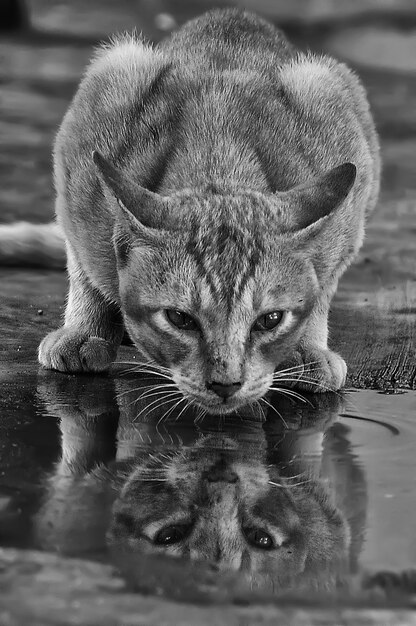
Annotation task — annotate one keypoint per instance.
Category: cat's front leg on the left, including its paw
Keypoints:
(92, 332)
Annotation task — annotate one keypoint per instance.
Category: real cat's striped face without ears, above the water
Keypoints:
(218, 302)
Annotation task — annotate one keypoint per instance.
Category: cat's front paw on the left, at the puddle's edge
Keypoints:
(68, 350)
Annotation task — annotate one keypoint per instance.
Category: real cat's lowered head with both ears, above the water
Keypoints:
(217, 287)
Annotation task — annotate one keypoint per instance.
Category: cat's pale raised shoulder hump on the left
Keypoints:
(119, 77)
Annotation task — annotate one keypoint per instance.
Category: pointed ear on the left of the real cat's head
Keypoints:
(140, 207)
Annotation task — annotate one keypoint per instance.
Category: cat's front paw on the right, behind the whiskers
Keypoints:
(312, 369)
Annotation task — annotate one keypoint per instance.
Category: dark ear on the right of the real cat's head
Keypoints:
(309, 202)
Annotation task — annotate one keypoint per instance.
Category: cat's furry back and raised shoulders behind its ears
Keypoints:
(227, 82)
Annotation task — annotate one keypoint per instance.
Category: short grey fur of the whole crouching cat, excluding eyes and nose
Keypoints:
(232, 178)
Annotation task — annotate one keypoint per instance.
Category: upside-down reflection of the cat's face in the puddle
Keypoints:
(233, 511)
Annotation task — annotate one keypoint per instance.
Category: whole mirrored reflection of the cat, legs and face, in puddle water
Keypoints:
(248, 495)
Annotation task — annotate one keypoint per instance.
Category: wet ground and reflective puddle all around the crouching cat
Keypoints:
(97, 492)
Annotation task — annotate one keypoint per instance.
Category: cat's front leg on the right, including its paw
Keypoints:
(318, 368)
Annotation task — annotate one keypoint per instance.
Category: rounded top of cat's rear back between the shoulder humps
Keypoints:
(229, 39)
